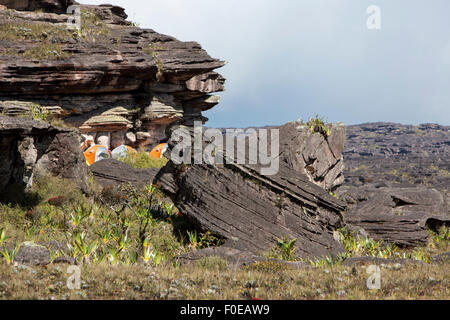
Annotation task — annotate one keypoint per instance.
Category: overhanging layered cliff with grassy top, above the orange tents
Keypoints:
(115, 82)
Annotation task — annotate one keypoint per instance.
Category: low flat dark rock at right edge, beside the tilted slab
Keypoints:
(396, 215)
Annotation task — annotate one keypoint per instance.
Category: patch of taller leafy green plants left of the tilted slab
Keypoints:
(123, 225)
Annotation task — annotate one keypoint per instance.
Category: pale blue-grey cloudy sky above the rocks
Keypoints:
(291, 59)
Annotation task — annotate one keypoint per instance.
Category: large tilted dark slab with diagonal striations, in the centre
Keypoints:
(252, 211)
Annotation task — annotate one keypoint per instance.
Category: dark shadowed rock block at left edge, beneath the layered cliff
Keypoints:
(30, 147)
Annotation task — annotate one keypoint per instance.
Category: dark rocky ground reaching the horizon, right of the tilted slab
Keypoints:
(397, 180)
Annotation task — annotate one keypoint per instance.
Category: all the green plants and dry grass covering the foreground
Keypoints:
(125, 240)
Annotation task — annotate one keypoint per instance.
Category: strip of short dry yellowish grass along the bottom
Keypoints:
(210, 280)
